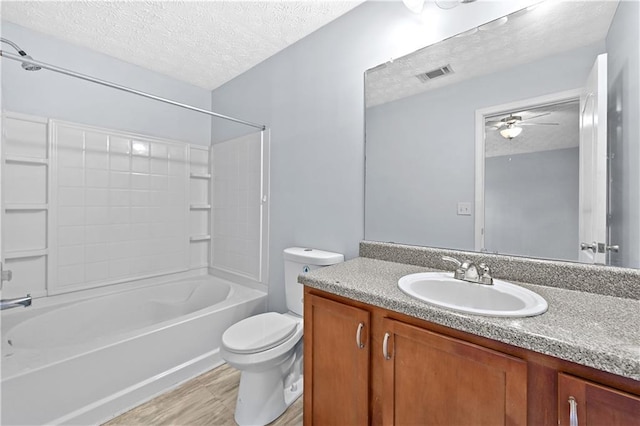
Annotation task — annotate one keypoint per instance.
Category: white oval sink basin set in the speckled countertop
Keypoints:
(502, 299)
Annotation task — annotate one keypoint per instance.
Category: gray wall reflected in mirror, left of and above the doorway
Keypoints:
(421, 150)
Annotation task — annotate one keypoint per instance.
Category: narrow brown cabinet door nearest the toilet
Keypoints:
(336, 363)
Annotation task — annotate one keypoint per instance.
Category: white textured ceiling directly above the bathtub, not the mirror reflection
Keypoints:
(205, 43)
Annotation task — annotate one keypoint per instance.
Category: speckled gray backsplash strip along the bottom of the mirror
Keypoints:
(608, 281)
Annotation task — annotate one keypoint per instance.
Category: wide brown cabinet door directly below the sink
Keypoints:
(431, 379)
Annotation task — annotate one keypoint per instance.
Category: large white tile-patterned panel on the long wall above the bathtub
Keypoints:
(121, 207)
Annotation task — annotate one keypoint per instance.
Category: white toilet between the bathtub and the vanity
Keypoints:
(267, 348)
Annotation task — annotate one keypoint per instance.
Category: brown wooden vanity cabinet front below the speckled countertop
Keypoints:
(405, 371)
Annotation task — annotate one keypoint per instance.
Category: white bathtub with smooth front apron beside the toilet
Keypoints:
(85, 361)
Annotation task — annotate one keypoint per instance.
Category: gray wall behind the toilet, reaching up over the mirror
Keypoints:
(311, 96)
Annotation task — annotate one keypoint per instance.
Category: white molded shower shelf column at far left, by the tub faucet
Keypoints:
(25, 203)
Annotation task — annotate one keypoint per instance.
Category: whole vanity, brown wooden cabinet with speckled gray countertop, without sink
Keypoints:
(374, 355)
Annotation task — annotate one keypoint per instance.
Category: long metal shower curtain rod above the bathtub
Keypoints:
(125, 89)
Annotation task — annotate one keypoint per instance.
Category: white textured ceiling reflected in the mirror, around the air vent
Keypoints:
(526, 36)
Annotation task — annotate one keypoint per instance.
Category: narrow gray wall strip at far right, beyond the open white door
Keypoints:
(624, 133)
